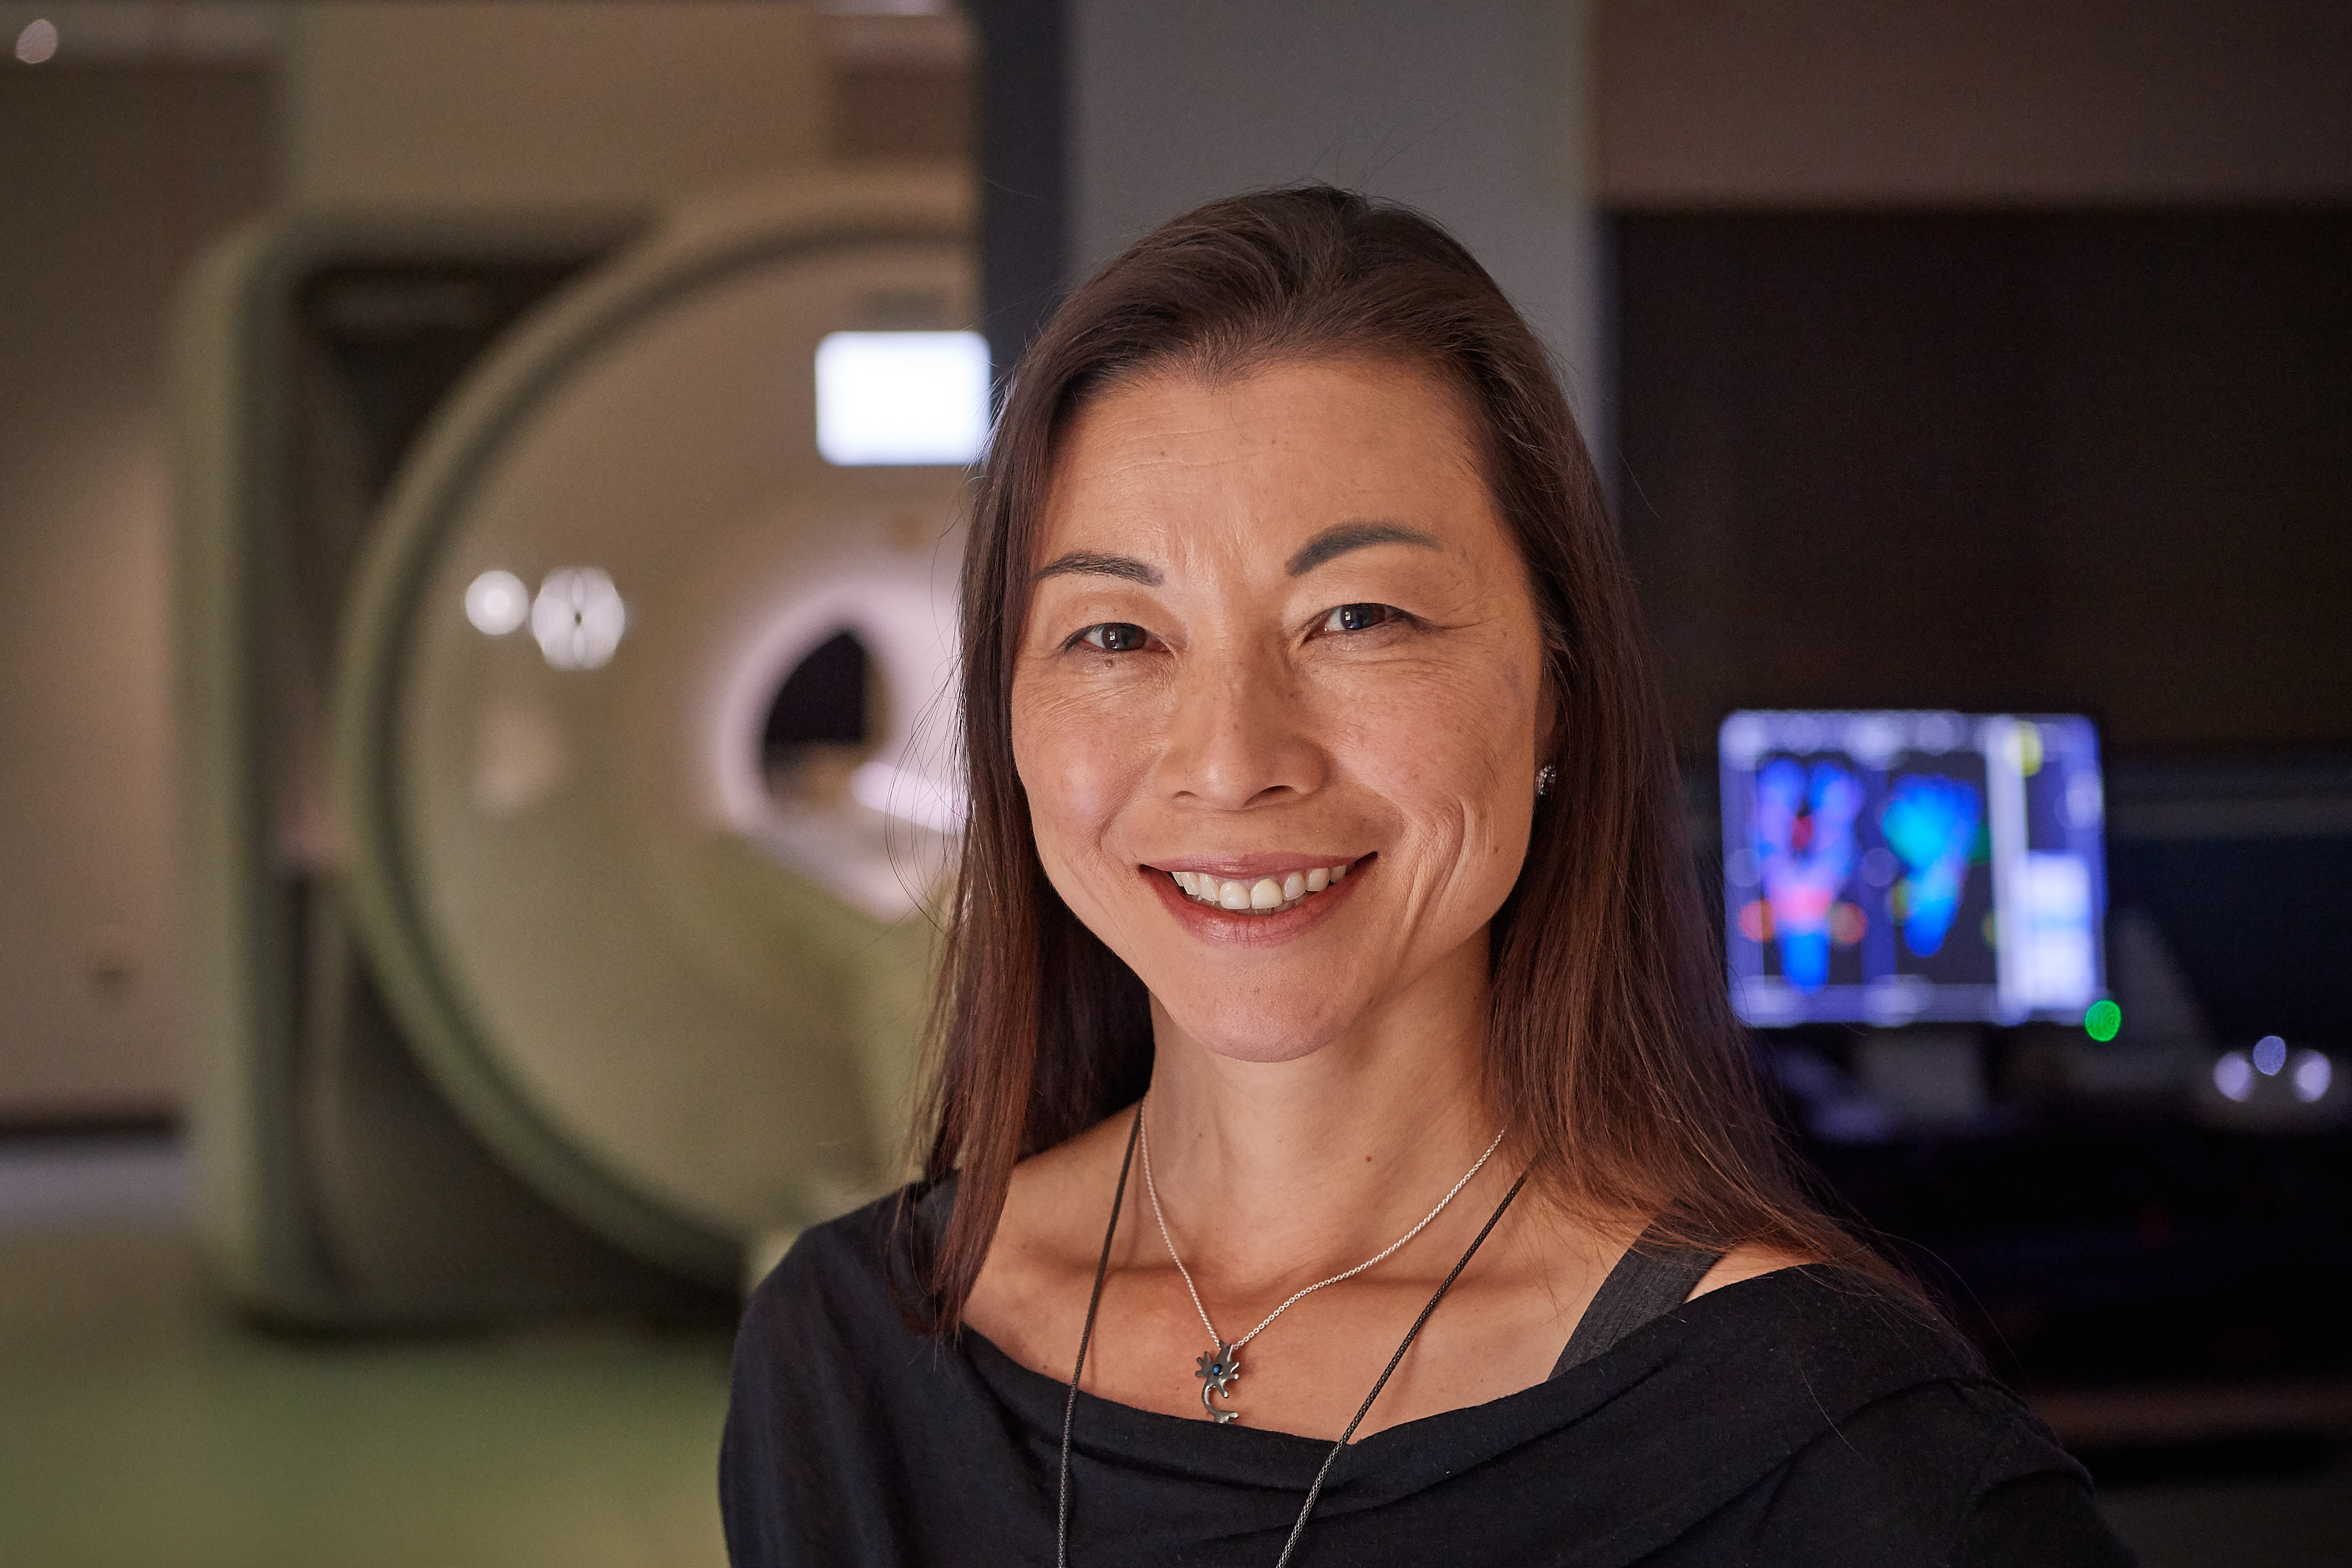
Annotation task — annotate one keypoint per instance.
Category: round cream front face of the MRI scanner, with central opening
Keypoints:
(636, 737)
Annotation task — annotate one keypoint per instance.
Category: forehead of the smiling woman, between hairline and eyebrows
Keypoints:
(1264, 460)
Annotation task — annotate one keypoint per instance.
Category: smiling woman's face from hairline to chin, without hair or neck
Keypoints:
(1278, 697)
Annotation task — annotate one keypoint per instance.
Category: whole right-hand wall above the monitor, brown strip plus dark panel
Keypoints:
(1989, 354)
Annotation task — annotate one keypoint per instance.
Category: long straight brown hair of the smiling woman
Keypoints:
(1612, 1050)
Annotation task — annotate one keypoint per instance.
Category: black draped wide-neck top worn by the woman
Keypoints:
(1793, 1419)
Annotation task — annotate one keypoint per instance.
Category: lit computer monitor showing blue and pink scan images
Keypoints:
(1913, 866)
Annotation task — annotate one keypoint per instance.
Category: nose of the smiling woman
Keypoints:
(1243, 732)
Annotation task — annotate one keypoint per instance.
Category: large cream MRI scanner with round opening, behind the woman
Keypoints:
(566, 634)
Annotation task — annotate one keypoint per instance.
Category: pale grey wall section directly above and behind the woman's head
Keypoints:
(1469, 112)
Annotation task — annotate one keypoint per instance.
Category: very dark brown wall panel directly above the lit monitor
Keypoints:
(2085, 462)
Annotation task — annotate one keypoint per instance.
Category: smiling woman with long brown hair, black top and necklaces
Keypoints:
(1342, 1148)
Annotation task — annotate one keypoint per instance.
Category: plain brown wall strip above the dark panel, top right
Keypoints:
(1982, 102)
